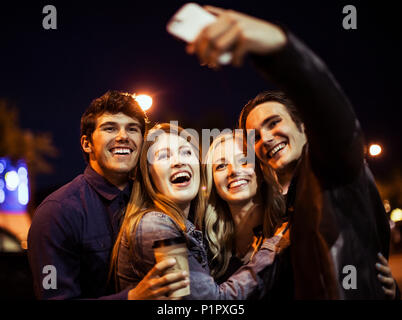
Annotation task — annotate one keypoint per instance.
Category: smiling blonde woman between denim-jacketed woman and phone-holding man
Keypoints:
(242, 207)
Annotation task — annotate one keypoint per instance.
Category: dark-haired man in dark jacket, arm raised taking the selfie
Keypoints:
(313, 140)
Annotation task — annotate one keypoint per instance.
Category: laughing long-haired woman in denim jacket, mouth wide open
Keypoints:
(161, 206)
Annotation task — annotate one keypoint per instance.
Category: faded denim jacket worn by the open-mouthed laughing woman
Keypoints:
(134, 264)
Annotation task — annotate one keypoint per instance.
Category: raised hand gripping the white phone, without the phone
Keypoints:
(237, 33)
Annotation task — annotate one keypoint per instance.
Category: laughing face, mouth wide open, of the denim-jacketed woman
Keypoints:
(174, 168)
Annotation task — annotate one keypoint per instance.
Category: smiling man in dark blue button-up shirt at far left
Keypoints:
(74, 228)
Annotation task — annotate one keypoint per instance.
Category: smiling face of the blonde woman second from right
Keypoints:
(235, 180)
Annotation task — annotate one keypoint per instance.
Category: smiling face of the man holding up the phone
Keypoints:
(278, 141)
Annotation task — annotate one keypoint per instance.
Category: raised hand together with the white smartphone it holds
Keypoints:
(230, 37)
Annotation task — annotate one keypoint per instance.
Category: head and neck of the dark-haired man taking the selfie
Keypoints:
(279, 133)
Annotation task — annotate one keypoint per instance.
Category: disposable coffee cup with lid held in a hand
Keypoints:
(173, 248)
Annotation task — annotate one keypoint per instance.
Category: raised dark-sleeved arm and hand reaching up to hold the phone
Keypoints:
(334, 135)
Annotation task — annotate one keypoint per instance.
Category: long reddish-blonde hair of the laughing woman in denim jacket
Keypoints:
(145, 197)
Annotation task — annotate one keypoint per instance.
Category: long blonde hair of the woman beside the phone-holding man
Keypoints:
(217, 221)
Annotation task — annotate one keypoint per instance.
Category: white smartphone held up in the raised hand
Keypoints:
(188, 22)
